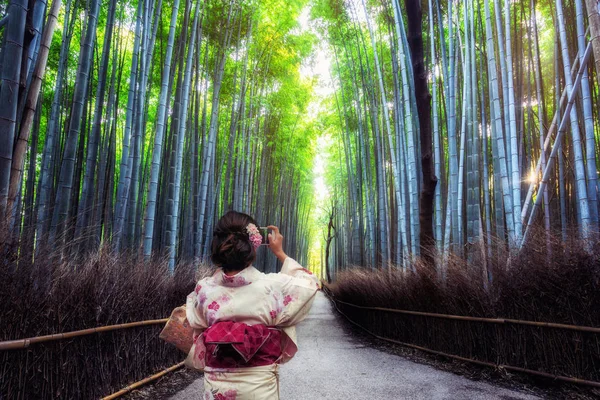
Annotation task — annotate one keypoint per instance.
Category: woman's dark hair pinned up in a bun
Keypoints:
(231, 248)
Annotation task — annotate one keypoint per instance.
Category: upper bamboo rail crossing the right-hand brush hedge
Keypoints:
(478, 319)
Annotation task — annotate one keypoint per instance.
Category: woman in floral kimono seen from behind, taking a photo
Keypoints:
(244, 319)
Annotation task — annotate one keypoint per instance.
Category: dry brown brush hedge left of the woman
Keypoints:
(58, 294)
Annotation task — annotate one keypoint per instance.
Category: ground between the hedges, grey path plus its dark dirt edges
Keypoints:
(336, 361)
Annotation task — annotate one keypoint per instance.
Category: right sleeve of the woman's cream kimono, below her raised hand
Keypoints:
(298, 292)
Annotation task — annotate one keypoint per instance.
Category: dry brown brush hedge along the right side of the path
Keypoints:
(550, 283)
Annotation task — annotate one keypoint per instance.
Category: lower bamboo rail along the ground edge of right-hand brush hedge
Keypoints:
(478, 362)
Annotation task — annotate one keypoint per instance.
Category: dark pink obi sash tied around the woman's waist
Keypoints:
(238, 345)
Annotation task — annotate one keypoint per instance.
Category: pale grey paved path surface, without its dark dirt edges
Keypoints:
(331, 364)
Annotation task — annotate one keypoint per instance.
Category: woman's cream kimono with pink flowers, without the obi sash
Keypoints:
(251, 297)
